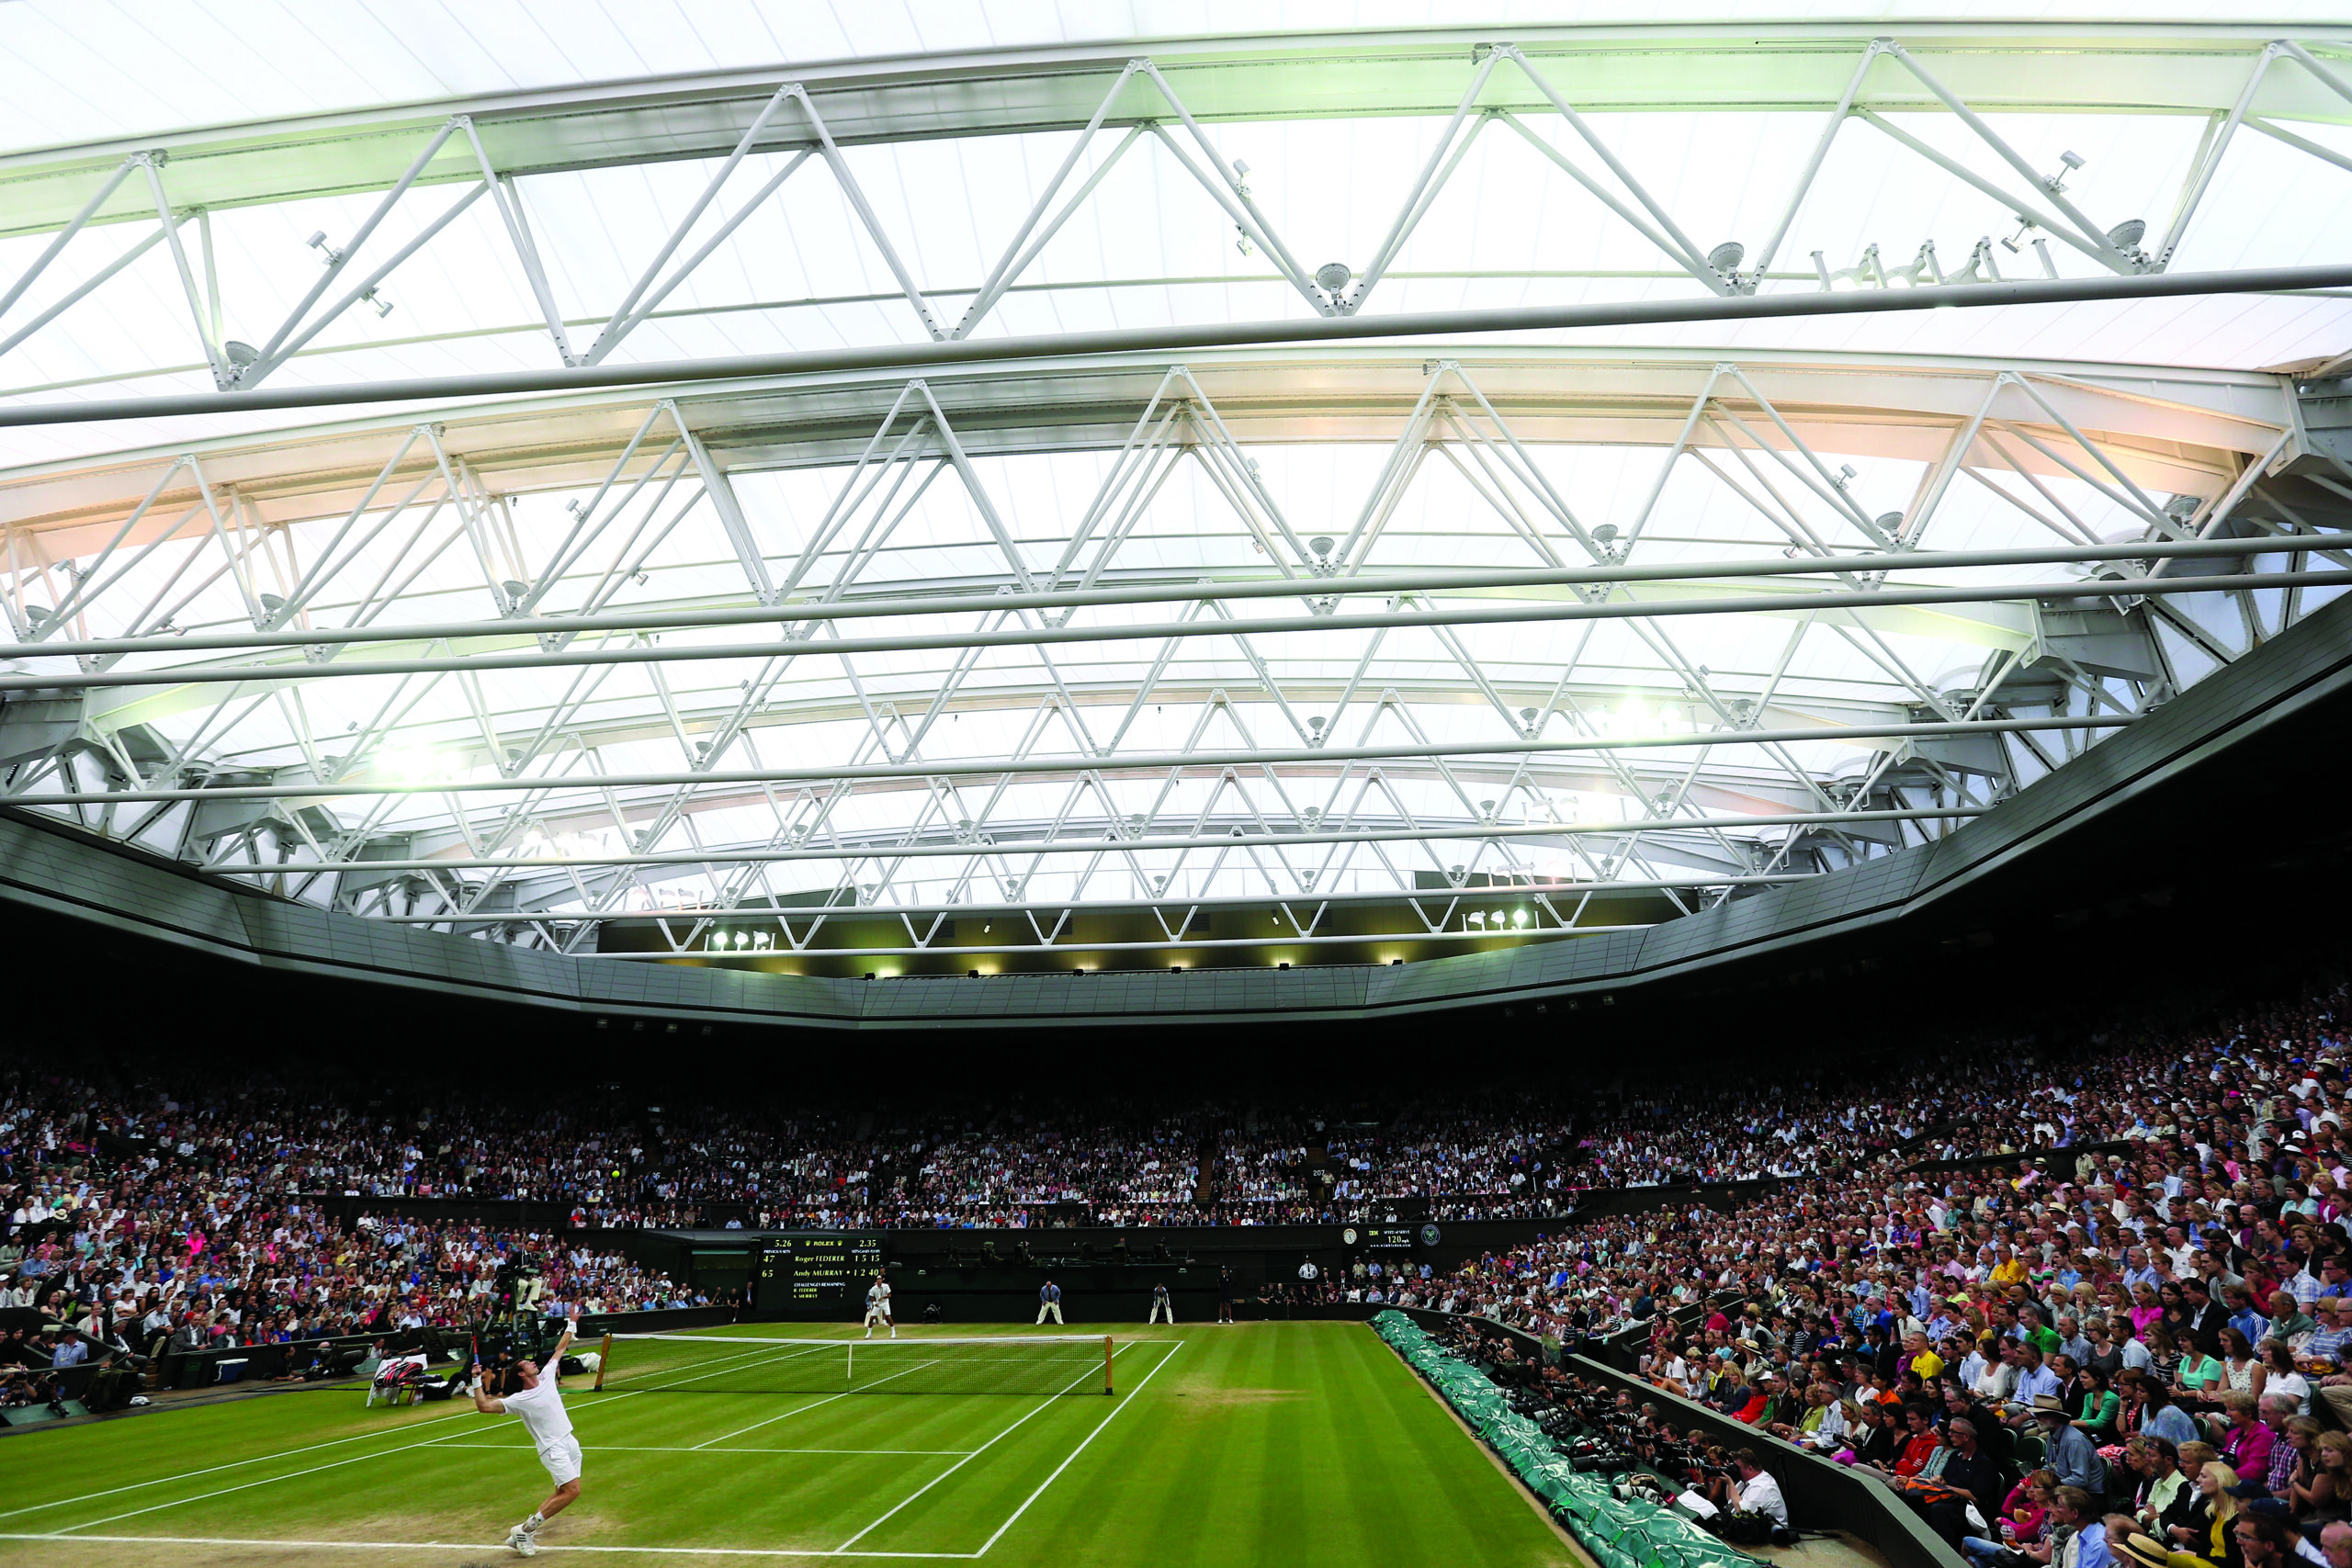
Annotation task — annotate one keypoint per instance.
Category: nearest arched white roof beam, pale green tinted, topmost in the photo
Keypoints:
(2174, 69)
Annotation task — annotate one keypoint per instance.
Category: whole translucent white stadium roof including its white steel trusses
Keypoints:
(1655, 615)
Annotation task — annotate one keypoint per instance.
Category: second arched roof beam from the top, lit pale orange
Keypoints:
(2172, 429)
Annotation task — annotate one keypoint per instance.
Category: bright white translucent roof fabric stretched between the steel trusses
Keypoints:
(1147, 248)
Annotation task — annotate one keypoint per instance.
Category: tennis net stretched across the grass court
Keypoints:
(742, 1365)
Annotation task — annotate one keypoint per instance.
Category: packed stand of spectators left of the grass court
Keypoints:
(131, 1231)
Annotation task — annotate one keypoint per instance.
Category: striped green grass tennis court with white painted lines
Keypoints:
(1257, 1445)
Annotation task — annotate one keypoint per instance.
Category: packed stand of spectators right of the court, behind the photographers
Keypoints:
(2146, 1343)
